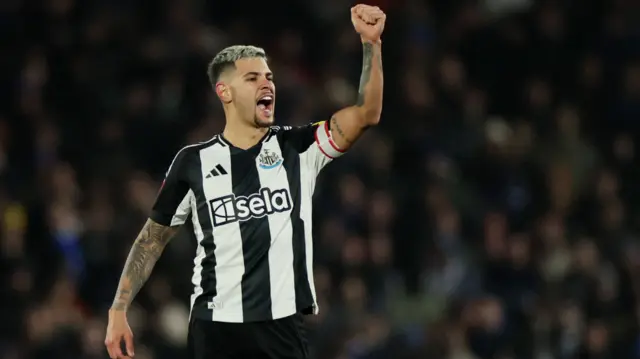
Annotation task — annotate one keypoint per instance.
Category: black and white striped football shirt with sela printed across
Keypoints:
(251, 214)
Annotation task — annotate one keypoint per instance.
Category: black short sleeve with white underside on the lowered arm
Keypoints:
(173, 203)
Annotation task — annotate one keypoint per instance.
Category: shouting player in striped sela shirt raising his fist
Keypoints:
(248, 193)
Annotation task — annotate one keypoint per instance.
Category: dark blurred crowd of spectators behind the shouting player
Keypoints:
(493, 214)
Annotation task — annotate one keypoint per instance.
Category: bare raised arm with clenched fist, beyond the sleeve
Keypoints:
(349, 123)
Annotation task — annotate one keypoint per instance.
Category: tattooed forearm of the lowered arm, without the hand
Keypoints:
(143, 256)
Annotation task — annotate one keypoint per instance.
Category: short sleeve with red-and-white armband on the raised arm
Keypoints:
(315, 145)
